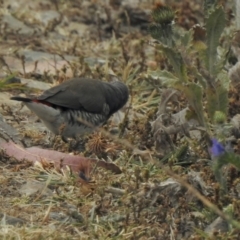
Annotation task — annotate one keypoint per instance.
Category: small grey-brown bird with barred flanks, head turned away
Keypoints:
(76, 106)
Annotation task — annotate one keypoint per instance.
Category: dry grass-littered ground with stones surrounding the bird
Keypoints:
(134, 190)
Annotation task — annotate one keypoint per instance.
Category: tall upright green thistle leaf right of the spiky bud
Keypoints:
(215, 24)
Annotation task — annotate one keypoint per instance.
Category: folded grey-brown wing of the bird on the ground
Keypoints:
(79, 94)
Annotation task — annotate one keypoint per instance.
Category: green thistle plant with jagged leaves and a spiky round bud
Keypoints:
(197, 62)
